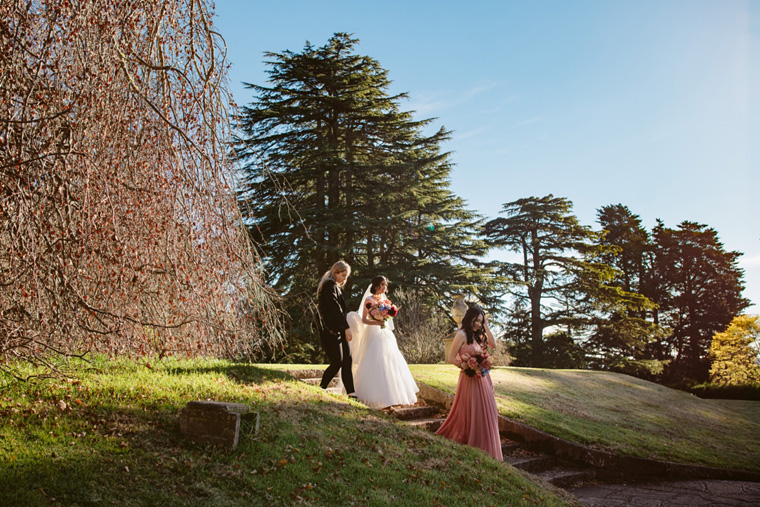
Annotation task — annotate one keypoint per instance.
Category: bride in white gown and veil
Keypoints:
(381, 376)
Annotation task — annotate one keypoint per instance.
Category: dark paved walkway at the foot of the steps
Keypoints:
(664, 494)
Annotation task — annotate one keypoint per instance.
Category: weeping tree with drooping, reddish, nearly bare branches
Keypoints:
(119, 229)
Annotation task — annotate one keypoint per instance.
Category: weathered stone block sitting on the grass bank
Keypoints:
(215, 422)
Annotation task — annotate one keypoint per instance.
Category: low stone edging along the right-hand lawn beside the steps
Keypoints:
(607, 461)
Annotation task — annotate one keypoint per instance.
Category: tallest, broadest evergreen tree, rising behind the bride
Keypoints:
(334, 169)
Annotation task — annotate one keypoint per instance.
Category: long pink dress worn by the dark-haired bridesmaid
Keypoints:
(473, 419)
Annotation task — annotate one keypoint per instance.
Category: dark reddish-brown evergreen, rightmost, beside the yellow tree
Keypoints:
(698, 292)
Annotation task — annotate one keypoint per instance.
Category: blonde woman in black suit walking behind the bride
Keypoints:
(334, 333)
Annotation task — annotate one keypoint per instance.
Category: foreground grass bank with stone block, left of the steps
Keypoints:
(112, 438)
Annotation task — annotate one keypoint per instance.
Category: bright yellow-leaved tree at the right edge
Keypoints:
(735, 353)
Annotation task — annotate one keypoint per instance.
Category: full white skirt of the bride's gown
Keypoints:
(382, 377)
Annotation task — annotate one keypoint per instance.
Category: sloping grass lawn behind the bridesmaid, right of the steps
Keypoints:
(622, 413)
